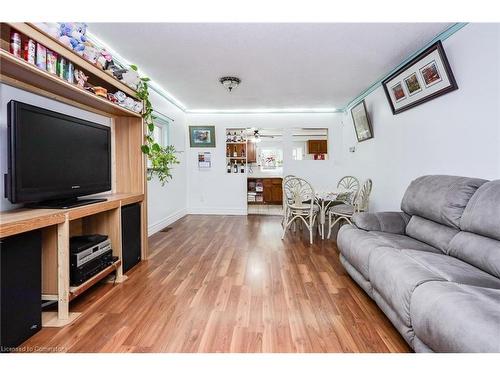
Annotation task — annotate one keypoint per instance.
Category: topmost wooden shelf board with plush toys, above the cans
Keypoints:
(55, 45)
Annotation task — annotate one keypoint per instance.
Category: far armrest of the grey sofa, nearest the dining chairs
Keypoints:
(390, 222)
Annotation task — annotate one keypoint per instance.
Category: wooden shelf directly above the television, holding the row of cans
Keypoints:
(19, 73)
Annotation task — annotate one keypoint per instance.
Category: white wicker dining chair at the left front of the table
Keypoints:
(300, 201)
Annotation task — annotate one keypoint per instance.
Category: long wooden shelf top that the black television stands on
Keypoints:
(26, 219)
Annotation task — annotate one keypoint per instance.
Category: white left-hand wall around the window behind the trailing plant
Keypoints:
(168, 203)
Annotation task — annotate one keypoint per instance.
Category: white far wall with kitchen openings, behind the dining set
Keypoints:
(216, 192)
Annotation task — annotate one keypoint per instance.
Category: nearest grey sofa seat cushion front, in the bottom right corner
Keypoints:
(448, 317)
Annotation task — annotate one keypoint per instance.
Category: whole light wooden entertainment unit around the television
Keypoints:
(128, 173)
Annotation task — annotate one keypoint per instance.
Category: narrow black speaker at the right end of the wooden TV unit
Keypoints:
(131, 236)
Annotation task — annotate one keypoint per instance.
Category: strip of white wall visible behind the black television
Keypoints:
(8, 93)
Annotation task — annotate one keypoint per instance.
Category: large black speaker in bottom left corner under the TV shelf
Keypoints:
(20, 288)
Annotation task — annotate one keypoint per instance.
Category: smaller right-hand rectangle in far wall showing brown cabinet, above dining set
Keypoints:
(310, 144)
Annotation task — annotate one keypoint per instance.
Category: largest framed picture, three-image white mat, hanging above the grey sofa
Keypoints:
(424, 78)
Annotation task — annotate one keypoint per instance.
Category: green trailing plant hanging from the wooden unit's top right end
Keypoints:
(162, 158)
